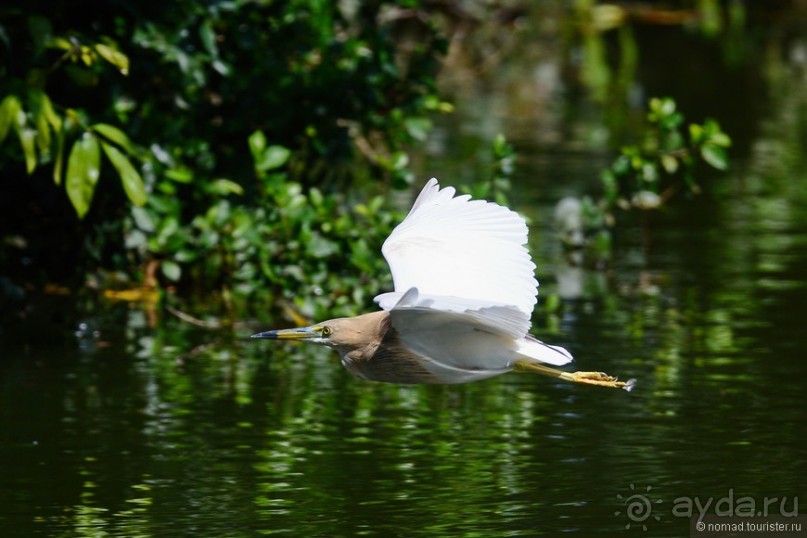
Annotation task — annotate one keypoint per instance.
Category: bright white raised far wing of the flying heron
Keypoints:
(452, 246)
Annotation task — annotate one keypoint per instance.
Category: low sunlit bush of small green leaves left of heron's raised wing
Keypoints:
(294, 247)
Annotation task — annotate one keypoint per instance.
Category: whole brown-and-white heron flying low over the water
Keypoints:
(464, 291)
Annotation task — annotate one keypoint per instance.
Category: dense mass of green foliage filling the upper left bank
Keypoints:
(337, 96)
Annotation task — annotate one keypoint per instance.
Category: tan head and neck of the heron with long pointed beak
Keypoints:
(342, 334)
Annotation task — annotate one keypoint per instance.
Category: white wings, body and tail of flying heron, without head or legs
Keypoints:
(464, 287)
